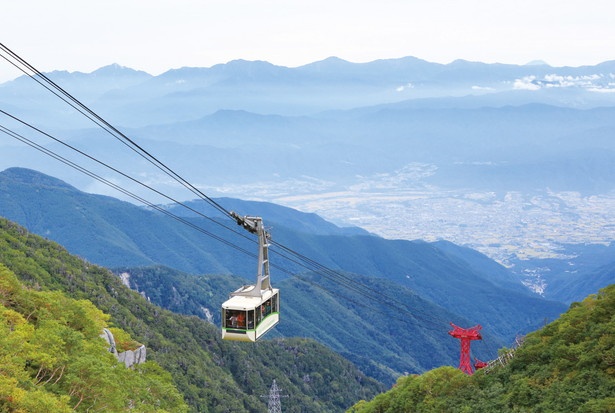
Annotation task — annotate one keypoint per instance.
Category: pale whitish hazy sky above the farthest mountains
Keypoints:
(157, 35)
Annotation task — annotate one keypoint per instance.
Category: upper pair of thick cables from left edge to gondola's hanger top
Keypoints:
(95, 118)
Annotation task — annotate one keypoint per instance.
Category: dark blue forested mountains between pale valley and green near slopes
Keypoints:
(413, 288)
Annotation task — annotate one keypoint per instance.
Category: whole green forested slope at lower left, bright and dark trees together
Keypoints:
(211, 375)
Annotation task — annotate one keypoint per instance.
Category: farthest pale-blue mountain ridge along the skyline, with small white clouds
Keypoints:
(261, 87)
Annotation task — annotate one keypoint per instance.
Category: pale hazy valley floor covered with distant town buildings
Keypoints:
(506, 225)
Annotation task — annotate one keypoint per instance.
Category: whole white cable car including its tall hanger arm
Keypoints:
(252, 310)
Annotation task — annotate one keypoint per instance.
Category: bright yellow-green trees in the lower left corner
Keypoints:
(53, 359)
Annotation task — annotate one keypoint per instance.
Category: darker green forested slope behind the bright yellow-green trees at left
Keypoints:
(212, 375)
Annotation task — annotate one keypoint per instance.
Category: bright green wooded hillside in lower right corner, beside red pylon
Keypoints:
(567, 366)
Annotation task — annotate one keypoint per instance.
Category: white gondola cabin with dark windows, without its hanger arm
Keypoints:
(246, 318)
